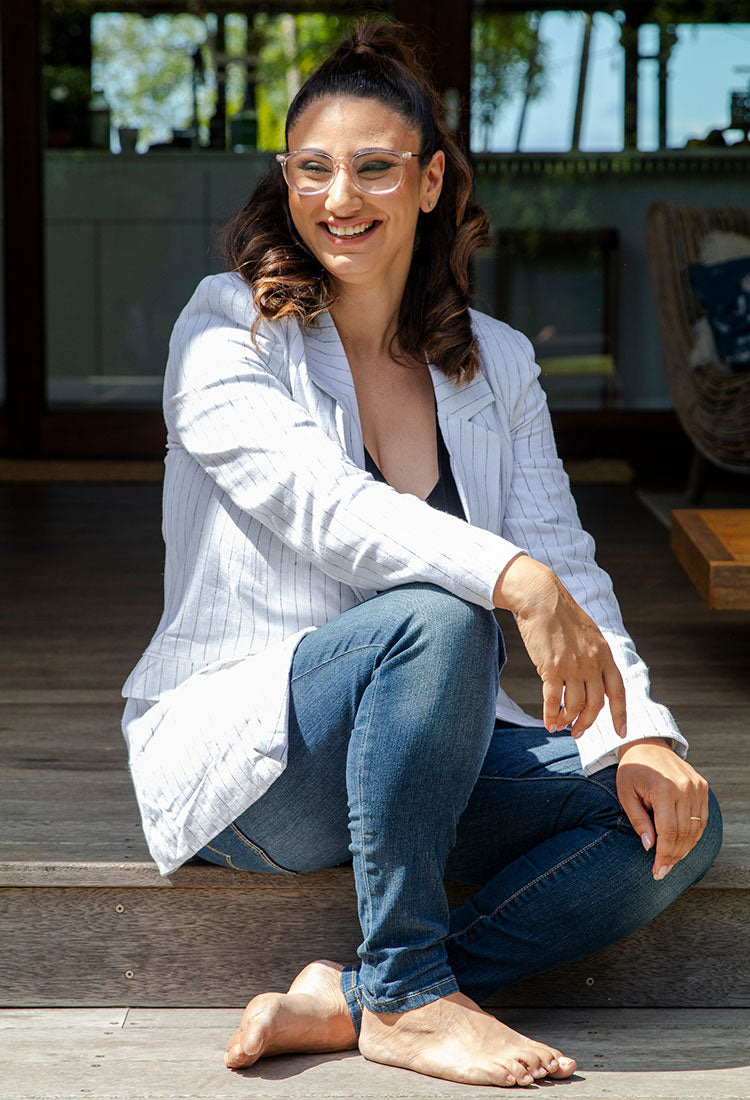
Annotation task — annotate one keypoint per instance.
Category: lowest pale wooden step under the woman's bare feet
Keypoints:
(129, 1054)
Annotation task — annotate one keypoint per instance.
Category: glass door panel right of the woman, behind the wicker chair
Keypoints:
(580, 122)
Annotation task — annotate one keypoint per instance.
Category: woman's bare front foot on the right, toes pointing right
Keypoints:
(454, 1039)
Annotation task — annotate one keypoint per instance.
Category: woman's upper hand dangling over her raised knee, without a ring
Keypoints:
(569, 652)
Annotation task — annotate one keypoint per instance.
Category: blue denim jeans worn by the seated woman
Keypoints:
(398, 762)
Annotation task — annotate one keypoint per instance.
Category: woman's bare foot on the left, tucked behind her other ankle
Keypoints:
(313, 1017)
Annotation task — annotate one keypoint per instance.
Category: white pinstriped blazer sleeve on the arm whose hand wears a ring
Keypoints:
(542, 516)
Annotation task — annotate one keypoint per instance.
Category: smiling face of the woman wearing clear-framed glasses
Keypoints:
(341, 127)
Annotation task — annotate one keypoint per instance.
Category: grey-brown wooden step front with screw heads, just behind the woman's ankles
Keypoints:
(108, 934)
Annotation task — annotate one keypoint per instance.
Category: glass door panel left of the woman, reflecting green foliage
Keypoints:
(157, 127)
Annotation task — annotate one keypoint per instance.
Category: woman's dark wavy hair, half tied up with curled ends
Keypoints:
(261, 241)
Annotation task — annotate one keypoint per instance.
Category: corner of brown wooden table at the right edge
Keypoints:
(714, 548)
